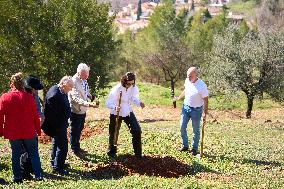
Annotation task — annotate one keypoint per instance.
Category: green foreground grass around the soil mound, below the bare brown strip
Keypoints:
(237, 155)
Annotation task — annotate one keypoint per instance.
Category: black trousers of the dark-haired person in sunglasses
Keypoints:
(135, 131)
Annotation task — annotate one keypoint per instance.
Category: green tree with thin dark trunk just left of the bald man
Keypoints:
(162, 44)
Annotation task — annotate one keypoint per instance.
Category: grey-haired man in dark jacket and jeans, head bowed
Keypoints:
(57, 112)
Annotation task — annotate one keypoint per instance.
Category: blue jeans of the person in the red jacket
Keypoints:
(31, 146)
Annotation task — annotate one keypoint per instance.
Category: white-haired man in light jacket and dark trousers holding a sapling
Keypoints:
(79, 103)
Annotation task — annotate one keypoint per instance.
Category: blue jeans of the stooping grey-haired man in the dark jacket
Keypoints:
(59, 148)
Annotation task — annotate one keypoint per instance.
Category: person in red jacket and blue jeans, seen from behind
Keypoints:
(20, 124)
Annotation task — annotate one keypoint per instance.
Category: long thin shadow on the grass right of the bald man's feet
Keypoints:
(245, 161)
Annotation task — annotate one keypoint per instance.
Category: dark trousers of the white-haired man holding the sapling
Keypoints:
(77, 125)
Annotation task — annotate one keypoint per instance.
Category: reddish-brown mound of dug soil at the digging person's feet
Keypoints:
(150, 165)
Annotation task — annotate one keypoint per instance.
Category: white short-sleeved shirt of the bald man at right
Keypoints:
(194, 93)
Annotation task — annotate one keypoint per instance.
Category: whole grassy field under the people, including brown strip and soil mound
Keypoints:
(239, 153)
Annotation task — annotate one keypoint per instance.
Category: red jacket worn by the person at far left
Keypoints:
(18, 116)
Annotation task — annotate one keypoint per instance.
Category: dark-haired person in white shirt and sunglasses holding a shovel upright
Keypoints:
(130, 94)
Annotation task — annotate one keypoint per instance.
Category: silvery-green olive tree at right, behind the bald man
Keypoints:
(253, 64)
